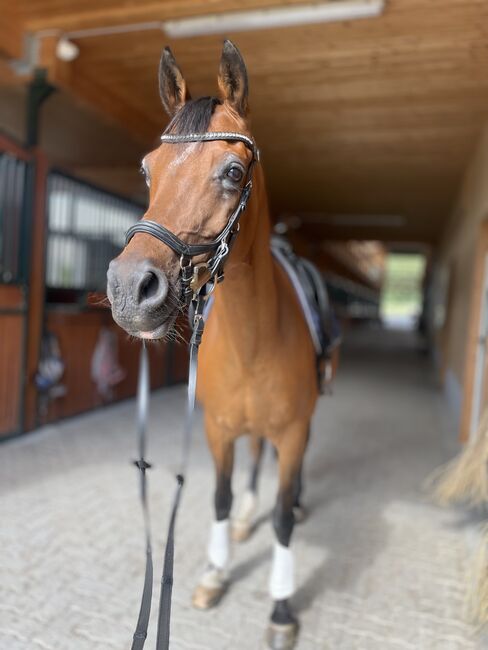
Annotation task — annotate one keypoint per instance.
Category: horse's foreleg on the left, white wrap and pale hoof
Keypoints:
(214, 580)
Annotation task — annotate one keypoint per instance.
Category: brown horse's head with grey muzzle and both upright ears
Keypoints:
(194, 188)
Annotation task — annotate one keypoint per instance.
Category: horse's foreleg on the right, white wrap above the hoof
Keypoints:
(283, 627)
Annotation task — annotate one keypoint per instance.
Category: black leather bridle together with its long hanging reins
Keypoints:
(194, 279)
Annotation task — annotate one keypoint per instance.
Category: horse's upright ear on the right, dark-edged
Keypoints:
(233, 78)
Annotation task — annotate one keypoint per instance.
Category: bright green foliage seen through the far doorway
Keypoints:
(402, 289)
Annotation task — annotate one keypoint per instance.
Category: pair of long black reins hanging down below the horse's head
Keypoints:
(164, 617)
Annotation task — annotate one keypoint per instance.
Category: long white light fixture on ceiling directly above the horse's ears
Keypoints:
(306, 14)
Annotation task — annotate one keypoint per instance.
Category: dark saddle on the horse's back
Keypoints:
(312, 294)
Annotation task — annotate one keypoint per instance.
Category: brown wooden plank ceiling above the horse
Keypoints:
(374, 117)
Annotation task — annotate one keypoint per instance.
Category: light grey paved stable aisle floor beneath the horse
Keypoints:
(378, 567)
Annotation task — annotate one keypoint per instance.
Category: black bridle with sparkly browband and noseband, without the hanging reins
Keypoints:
(195, 276)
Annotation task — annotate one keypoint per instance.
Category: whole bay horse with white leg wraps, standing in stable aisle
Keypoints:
(257, 371)
